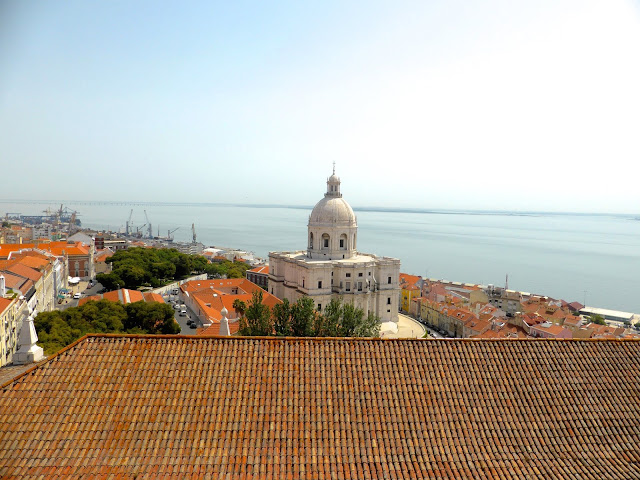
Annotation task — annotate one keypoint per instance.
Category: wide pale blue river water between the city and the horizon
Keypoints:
(592, 259)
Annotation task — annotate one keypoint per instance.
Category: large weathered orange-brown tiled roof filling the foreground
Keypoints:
(189, 407)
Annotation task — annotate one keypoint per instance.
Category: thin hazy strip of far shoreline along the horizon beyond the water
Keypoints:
(436, 211)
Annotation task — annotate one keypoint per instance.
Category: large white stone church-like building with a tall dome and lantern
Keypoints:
(332, 267)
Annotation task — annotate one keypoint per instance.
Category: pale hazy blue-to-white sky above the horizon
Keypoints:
(428, 104)
